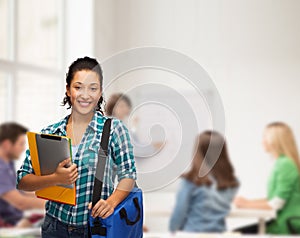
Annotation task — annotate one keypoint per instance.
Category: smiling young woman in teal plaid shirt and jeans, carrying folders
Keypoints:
(84, 126)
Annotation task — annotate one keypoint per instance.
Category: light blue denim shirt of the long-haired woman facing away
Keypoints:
(201, 208)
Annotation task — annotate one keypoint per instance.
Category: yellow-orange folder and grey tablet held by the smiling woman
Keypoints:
(46, 152)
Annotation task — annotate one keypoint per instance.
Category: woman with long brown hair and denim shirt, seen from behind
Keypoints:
(203, 202)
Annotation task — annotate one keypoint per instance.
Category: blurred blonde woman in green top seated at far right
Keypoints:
(284, 181)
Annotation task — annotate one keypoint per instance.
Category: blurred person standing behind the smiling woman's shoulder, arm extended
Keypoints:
(119, 105)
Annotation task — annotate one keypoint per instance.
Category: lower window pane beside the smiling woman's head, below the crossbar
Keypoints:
(38, 100)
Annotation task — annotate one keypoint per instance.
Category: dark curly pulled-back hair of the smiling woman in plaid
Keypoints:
(85, 63)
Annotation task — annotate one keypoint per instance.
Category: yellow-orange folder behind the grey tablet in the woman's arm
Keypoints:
(55, 193)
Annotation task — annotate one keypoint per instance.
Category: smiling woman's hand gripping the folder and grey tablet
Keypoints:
(66, 173)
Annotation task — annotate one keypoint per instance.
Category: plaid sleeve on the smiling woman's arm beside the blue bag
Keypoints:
(123, 151)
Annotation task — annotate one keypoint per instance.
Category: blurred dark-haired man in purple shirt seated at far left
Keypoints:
(12, 201)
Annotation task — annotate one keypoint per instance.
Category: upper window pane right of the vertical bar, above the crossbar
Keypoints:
(39, 35)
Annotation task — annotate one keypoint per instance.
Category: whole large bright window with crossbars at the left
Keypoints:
(31, 61)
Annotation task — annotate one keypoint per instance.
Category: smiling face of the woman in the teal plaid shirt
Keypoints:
(84, 91)
